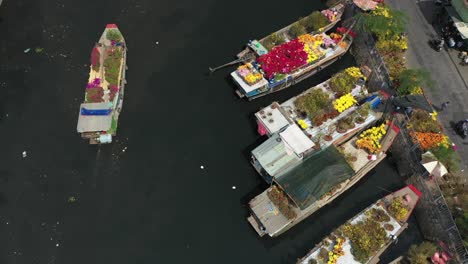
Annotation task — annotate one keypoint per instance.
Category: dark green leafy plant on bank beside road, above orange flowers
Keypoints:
(410, 79)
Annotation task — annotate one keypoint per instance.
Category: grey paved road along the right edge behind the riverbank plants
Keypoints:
(450, 78)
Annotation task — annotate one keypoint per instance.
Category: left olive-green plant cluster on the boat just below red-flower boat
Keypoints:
(310, 103)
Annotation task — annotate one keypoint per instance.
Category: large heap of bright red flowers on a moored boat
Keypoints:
(284, 58)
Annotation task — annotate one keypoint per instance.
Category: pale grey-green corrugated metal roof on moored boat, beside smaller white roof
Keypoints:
(273, 156)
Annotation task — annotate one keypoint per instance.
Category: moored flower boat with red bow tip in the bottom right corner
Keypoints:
(381, 223)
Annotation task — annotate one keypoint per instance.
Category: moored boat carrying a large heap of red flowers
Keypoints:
(289, 63)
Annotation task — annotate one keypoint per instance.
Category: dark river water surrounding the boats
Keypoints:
(69, 202)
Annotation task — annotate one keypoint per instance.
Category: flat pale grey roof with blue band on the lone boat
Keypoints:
(94, 123)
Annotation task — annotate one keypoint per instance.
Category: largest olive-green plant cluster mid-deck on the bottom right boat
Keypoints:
(366, 238)
